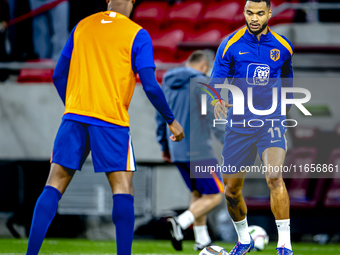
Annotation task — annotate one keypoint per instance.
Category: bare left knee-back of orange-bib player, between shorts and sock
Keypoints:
(60, 177)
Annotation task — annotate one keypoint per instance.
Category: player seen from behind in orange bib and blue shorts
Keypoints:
(95, 77)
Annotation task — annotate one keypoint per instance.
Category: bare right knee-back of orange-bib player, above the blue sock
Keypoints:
(121, 182)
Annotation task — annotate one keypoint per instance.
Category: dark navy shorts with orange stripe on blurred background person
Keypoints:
(204, 183)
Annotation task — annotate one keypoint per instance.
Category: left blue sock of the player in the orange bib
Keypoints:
(44, 212)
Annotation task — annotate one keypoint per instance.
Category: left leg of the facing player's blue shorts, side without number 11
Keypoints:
(239, 151)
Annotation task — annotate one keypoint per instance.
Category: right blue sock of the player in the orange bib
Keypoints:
(123, 216)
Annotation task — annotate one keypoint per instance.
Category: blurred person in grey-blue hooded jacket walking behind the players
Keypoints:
(206, 190)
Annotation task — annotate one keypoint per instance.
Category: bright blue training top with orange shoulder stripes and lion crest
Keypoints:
(261, 65)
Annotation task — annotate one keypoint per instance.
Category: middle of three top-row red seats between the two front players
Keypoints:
(184, 14)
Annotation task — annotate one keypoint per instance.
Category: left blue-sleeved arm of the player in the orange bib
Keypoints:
(61, 70)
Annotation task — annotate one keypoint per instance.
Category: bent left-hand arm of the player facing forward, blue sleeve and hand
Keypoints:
(220, 72)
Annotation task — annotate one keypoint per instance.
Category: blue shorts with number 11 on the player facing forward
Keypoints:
(239, 150)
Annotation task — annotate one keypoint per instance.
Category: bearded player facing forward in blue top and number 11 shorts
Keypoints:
(258, 60)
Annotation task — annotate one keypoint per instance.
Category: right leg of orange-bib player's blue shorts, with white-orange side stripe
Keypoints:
(111, 149)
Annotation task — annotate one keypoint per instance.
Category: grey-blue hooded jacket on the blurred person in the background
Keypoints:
(184, 100)
